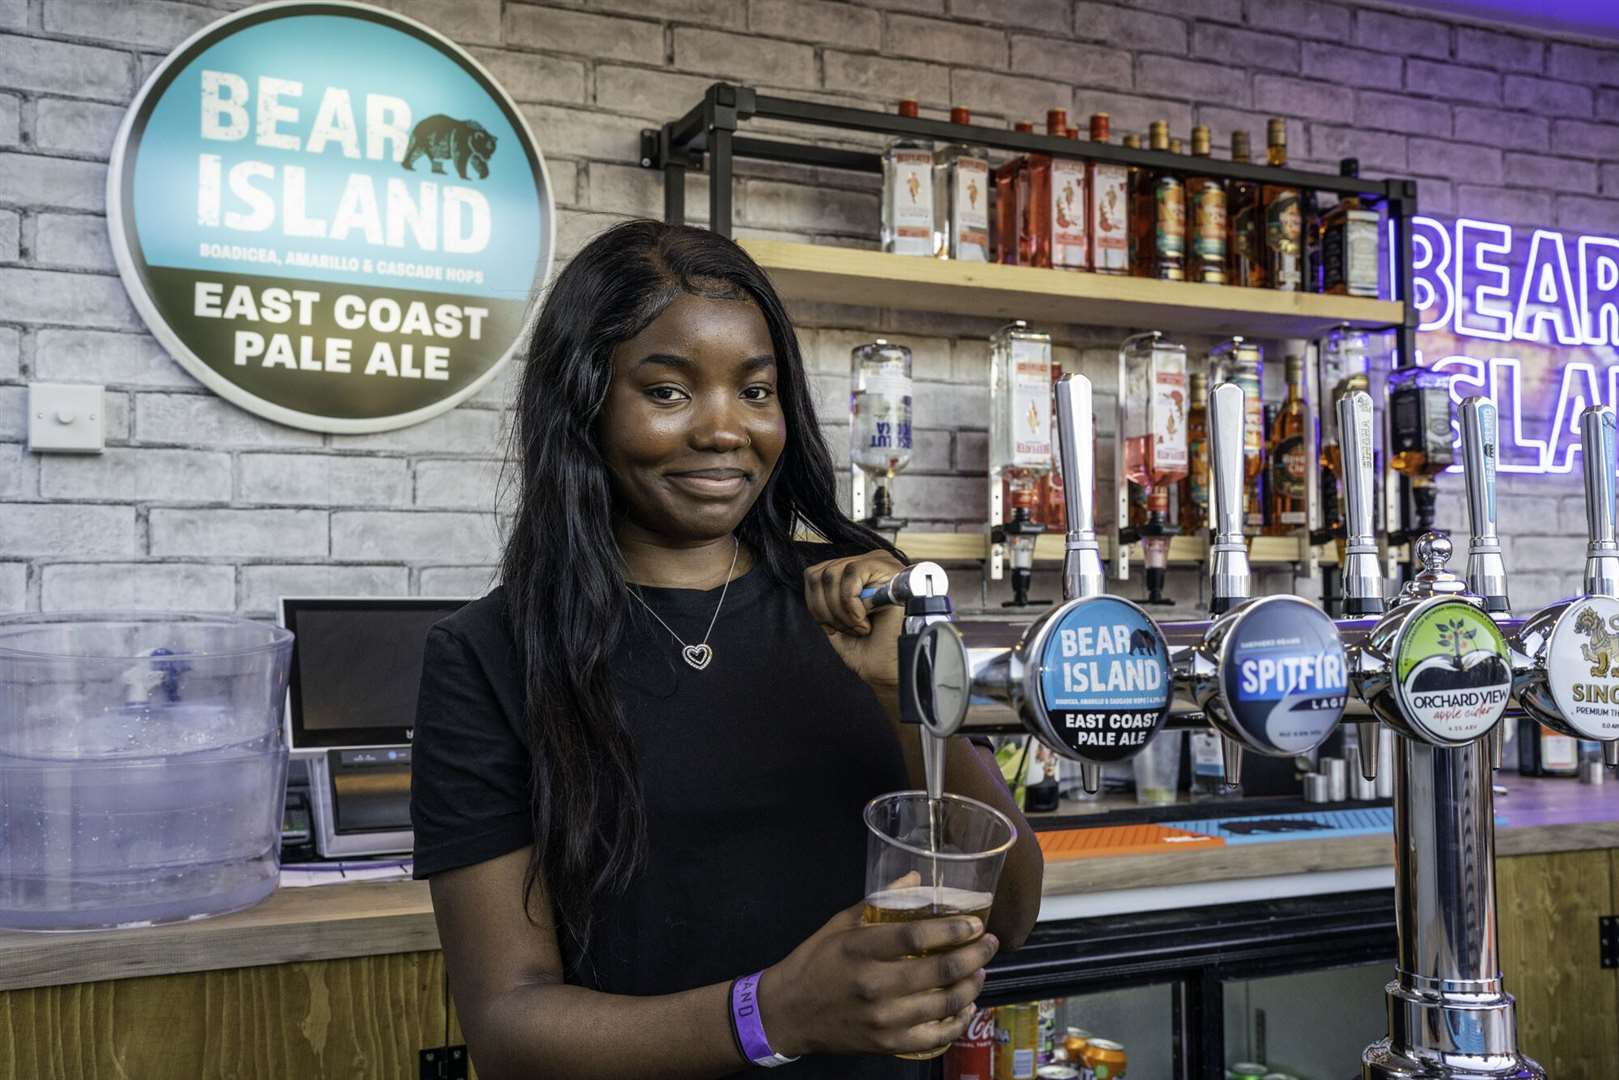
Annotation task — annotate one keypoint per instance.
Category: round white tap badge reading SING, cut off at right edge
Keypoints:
(1583, 666)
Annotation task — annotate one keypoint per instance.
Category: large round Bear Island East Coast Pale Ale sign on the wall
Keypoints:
(331, 216)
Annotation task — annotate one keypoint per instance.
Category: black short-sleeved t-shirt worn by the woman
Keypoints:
(755, 775)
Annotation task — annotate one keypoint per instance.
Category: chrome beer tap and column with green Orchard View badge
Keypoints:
(1438, 670)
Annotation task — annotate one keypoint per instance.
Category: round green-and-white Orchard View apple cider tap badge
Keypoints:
(1451, 673)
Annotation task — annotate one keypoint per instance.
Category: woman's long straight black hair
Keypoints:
(564, 577)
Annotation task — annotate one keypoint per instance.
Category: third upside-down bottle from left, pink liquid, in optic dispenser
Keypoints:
(1155, 443)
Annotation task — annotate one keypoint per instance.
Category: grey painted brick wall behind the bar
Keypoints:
(198, 504)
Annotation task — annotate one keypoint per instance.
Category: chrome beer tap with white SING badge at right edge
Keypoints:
(1571, 671)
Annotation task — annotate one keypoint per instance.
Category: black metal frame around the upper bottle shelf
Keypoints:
(708, 138)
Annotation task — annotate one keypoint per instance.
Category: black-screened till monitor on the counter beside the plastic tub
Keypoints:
(351, 708)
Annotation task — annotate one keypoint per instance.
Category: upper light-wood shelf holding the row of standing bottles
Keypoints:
(846, 276)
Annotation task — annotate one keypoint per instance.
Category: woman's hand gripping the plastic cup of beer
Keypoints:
(867, 990)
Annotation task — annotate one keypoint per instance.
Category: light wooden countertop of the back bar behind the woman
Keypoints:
(1539, 817)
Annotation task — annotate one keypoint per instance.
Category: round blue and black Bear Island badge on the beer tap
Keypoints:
(1105, 678)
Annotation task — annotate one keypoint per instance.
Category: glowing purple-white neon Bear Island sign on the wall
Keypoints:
(1528, 318)
